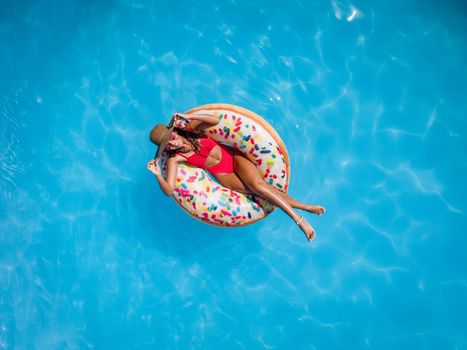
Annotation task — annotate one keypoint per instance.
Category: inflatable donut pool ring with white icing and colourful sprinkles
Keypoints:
(205, 199)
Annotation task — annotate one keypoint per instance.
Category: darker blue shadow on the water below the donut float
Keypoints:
(168, 230)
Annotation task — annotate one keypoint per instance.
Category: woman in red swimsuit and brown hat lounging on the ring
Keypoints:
(186, 142)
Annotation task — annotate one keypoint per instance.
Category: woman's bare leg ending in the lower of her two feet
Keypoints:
(250, 176)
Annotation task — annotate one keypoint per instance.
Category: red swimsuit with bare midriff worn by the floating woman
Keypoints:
(225, 165)
